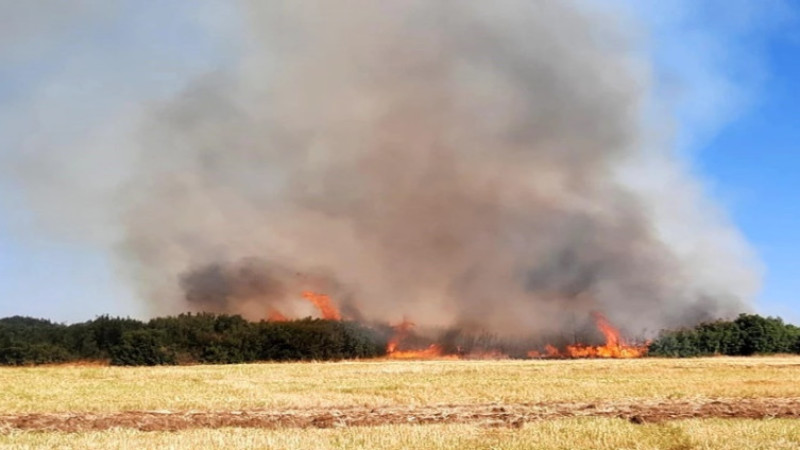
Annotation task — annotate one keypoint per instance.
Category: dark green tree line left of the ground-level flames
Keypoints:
(185, 339)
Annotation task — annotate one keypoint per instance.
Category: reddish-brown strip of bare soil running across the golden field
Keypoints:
(501, 415)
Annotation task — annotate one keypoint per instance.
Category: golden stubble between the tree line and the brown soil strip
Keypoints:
(391, 383)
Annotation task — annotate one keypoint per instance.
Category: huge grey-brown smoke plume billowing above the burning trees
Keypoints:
(462, 163)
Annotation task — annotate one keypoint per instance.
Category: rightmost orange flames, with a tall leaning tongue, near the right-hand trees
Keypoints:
(615, 346)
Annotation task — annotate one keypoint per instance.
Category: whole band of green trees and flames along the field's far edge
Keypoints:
(220, 339)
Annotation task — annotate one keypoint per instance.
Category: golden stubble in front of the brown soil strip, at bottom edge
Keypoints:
(561, 434)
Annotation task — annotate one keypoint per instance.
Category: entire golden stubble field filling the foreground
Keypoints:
(403, 387)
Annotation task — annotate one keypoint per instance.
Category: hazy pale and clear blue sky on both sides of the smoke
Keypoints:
(74, 78)
